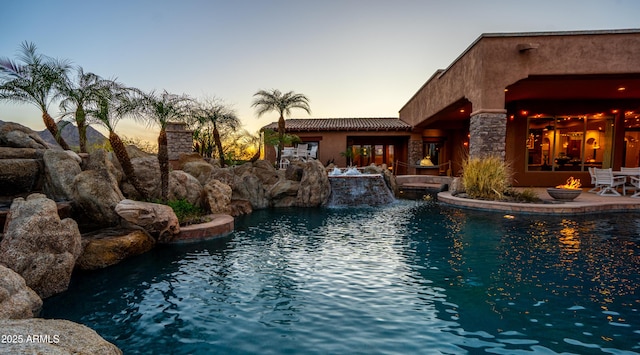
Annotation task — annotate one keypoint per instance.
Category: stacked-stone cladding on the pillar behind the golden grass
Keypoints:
(488, 133)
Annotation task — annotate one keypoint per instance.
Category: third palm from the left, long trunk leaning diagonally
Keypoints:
(113, 103)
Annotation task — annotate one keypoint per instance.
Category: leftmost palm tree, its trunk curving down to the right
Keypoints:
(34, 81)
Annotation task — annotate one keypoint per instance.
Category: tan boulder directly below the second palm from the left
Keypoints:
(61, 168)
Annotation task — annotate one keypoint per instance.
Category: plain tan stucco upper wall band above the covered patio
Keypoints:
(496, 61)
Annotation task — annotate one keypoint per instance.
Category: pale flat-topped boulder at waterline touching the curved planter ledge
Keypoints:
(159, 220)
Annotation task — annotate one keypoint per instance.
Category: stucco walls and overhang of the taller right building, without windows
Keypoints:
(509, 74)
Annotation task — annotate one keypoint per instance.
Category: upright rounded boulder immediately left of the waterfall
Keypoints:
(314, 186)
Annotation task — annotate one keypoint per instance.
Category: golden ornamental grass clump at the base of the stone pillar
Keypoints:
(486, 178)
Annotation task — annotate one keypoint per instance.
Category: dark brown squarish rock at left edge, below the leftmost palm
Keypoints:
(20, 175)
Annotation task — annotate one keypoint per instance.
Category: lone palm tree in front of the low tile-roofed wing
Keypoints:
(274, 100)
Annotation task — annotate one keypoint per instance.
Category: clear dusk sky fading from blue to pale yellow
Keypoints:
(352, 58)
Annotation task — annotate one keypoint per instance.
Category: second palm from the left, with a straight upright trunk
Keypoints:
(77, 94)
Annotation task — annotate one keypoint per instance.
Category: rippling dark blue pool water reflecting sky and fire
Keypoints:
(409, 278)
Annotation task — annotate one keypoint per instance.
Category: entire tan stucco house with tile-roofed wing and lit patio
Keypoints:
(552, 104)
